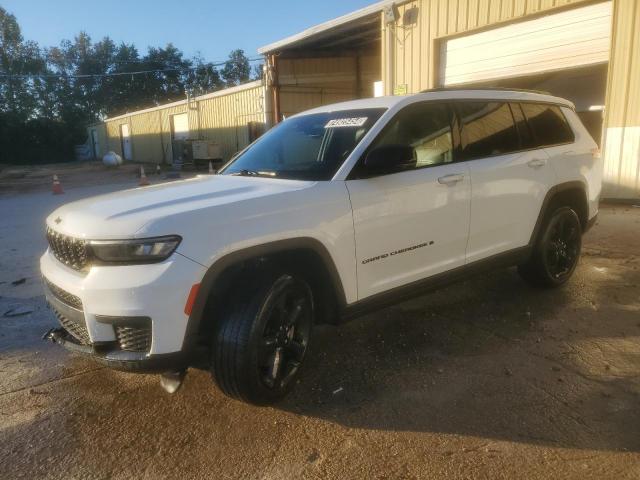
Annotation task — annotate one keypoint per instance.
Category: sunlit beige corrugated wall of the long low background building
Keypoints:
(222, 117)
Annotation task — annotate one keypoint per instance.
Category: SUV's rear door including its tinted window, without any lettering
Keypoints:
(509, 176)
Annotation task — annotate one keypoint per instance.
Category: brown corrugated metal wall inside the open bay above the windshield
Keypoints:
(310, 82)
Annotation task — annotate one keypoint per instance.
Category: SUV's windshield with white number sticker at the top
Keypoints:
(308, 147)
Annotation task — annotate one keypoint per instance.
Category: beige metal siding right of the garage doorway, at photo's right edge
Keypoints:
(622, 114)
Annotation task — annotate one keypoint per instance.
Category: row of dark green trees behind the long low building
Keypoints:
(48, 96)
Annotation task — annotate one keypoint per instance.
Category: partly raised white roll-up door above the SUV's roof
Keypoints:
(571, 38)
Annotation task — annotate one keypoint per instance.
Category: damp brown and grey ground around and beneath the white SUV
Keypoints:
(485, 379)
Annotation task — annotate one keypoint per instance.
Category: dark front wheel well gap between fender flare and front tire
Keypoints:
(304, 262)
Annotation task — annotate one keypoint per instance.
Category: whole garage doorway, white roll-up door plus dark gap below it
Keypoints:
(564, 53)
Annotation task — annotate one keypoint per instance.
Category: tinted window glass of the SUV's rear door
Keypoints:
(488, 129)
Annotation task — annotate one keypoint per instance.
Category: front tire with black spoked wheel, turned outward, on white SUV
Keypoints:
(262, 338)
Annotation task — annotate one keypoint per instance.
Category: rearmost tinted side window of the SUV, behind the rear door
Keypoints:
(548, 124)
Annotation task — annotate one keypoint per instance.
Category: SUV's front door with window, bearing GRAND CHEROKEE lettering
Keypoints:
(411, 224)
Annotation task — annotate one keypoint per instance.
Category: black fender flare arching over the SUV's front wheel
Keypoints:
(279, 246)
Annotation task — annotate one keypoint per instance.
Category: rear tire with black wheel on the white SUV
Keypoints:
(556, 251)
